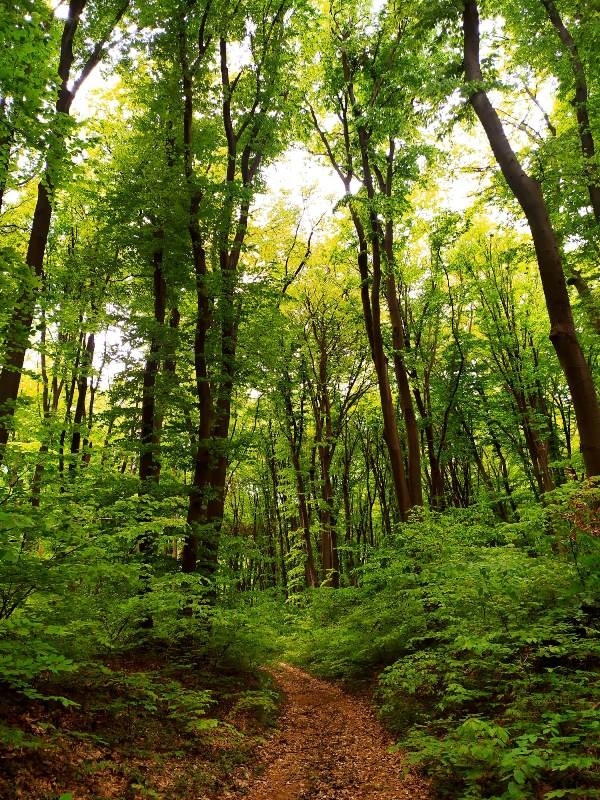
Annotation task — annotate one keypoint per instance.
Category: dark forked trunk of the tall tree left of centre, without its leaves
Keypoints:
(207, 496)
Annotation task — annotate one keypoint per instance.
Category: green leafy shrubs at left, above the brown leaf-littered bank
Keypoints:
(72, 585)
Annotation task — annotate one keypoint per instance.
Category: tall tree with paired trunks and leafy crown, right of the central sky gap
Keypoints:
(366, 90)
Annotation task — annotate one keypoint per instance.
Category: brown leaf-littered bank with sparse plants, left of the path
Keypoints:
(145, 726)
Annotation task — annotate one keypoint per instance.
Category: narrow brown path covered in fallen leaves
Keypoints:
(330, 746)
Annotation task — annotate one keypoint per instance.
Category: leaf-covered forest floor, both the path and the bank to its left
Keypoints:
(143, 729)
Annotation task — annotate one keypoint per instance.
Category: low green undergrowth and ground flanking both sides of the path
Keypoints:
(482, 637)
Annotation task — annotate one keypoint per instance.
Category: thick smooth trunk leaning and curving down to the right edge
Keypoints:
(529, 194)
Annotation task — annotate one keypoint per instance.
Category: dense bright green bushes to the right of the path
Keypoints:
(487, 646)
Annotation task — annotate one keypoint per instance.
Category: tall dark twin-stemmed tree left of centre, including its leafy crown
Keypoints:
(252, 107)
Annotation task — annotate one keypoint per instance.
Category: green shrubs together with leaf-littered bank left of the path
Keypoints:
(117, 678)
